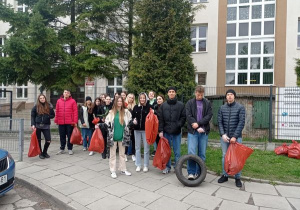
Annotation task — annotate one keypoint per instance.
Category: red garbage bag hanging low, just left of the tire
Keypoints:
(163, 154)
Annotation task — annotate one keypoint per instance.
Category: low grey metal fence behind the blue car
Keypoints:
(12, 136)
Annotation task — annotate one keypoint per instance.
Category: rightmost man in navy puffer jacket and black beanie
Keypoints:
(231, 121)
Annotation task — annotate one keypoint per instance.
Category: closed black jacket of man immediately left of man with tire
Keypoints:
(171, 116)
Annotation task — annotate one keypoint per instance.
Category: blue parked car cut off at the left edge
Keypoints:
(7, 172)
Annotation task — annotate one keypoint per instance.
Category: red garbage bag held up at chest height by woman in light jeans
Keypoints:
(151, 127)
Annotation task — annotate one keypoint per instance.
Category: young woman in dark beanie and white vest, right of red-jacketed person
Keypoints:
(85, 122)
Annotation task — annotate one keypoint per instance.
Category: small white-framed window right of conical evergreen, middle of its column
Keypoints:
(199, 38)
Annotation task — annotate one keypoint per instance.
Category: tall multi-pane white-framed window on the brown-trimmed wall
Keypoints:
(250, 42)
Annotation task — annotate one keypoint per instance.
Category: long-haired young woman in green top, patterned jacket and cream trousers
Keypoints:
(118, 135)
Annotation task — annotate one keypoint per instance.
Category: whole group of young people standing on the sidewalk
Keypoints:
(122, 123)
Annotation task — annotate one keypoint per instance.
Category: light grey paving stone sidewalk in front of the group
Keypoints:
(83, 182)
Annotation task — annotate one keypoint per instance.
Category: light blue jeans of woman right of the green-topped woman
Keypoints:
(139, 135)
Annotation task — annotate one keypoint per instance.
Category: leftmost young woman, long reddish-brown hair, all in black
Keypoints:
(41, 114)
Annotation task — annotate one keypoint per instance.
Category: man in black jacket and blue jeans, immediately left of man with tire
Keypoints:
(171, 117)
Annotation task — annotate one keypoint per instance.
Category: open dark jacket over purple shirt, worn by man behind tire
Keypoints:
(191, 115)
